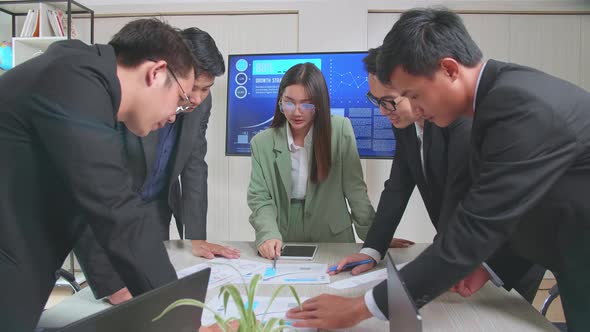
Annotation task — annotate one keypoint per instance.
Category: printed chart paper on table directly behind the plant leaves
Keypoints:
(277, 309)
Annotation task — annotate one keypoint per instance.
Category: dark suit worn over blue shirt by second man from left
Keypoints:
(188, 206)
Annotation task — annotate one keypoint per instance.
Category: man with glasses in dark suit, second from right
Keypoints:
(433, 159)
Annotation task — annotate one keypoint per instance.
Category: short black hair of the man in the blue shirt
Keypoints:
(207, 57)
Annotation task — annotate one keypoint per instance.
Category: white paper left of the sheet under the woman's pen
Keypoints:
(222, 272)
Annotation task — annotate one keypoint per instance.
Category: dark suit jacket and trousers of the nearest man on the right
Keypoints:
(530, 161)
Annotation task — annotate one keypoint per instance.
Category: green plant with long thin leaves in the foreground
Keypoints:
(247, 320)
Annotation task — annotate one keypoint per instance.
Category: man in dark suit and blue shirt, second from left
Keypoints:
(156, 175)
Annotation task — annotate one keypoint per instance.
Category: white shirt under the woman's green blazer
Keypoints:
(300, 157)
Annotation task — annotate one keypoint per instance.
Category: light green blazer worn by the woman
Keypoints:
(325, 203)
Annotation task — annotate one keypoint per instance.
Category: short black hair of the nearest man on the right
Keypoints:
(421, 38)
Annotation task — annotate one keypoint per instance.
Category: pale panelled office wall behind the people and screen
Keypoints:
(525, 32)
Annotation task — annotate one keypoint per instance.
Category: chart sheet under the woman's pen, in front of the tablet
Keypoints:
(294, 274)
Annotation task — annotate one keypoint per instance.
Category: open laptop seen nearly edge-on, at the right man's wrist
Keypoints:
(403, 314)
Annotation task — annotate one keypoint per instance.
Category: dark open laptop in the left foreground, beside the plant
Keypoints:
(137, 313)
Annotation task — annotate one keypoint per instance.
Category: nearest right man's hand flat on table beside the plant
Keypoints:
(330, 312)
